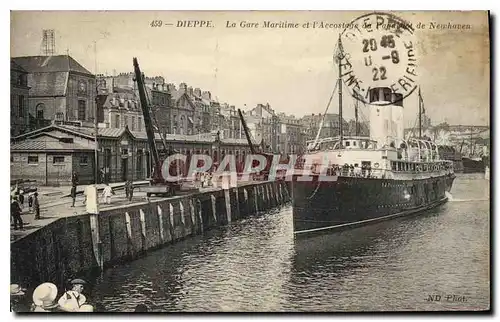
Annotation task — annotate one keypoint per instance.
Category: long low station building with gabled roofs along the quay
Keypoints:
(49, 155)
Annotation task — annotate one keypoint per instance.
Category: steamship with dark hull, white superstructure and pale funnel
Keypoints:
(371, 179)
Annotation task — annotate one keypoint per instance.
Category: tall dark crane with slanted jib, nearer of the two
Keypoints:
(158, 185)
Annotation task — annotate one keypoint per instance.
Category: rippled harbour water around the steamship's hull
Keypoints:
(256, 265)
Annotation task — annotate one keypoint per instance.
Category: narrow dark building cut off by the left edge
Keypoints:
(19, 92)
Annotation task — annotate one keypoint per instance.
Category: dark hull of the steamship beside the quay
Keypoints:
(349, 202)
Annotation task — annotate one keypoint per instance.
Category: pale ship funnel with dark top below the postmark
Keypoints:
(386, 116)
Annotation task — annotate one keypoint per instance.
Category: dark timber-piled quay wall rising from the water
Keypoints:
(80, 245)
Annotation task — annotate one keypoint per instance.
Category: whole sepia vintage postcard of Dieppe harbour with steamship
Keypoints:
(250, 161)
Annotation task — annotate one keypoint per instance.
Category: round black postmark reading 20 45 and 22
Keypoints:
(379, 51)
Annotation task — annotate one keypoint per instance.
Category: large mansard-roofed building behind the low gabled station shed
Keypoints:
(60, 89)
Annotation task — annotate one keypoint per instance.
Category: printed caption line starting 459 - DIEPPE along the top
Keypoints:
(267, 24)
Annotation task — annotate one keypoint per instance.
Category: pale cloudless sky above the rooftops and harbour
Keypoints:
(292, 69)
